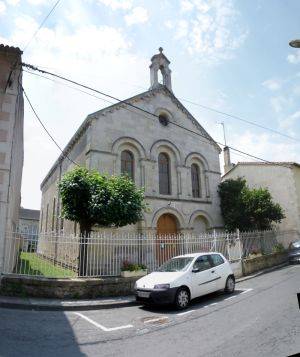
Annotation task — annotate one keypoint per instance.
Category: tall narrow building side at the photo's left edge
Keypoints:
(11, 149)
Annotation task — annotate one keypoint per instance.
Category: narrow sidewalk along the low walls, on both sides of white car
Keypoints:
(95, 304)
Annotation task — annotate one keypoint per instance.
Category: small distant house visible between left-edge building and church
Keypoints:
(29, 228)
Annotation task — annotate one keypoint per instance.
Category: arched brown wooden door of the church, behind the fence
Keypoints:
(166, 240)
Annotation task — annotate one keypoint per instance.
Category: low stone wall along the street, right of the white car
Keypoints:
(253, 265)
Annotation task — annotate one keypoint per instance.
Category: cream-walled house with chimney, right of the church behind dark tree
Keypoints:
(282, 179)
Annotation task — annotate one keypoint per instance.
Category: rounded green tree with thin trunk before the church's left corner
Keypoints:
(90, 198)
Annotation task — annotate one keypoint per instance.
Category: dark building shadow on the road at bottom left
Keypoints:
(37, 333)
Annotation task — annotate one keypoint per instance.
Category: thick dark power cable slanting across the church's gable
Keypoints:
(34, 68)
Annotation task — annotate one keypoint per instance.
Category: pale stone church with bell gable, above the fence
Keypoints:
(161, 146)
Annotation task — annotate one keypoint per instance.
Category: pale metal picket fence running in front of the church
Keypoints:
(102, 254)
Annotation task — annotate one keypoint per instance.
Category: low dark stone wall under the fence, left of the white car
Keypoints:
(66, 288)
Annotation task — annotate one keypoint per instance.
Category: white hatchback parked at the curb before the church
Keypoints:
(186, 277)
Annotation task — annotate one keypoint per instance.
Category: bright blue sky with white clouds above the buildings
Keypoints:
(230, 55)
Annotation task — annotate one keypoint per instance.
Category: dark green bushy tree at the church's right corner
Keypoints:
(247, 209)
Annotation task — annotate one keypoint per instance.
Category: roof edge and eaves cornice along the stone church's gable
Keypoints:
(122, 104)
